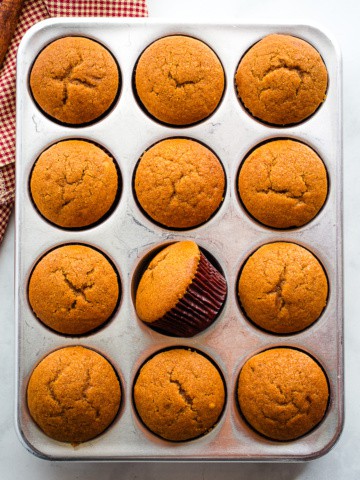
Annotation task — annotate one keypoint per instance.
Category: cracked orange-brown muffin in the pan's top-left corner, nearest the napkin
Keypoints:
(75, 80)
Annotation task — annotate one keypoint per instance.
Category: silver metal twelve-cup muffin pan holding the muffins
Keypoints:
(127, 236)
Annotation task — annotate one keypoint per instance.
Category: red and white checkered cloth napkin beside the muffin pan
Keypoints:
(32, 12)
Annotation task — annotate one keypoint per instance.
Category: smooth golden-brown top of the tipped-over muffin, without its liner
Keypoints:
(166, 280)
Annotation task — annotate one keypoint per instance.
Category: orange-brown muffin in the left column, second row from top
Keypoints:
(74, 183)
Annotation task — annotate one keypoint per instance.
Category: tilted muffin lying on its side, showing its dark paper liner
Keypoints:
(181, 292)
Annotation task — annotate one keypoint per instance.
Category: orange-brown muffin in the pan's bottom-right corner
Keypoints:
(283, 393)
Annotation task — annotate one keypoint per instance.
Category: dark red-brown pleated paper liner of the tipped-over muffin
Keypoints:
(200, 305)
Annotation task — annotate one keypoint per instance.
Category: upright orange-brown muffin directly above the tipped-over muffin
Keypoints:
(179, 183)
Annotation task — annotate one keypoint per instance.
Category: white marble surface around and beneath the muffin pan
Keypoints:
(343, 462)
